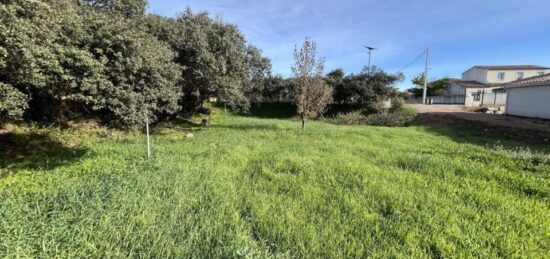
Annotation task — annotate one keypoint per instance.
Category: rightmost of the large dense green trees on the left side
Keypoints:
(217, 62)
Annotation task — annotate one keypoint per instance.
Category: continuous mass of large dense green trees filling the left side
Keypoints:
(109, 60)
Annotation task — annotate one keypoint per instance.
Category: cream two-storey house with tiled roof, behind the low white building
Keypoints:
(482, 85)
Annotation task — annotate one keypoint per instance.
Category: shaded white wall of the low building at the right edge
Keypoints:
(529, 101)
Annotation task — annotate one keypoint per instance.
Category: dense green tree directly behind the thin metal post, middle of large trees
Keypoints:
(144, 78)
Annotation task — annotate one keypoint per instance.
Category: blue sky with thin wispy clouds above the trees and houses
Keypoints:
(459, 33)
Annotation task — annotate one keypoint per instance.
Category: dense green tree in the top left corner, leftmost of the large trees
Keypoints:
(45, 56)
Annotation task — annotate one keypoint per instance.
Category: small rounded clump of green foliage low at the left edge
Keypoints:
(12, 103)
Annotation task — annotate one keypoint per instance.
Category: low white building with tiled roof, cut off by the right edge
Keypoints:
(529, 97)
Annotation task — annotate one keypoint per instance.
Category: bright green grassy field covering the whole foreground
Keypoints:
(259, 187)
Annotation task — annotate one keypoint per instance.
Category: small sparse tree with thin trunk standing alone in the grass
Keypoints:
(311, 94)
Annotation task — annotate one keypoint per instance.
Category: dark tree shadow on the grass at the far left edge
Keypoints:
(36, 150)
